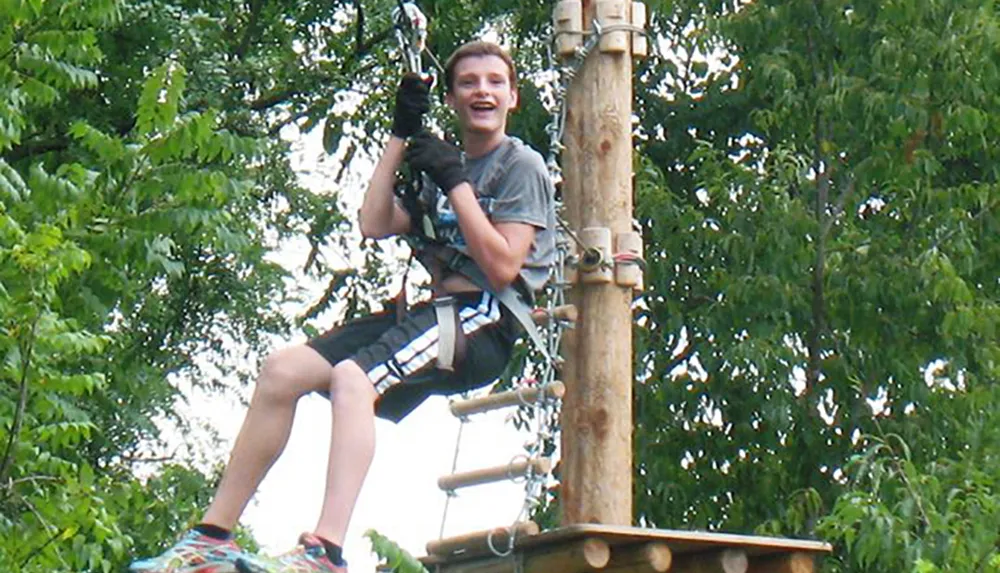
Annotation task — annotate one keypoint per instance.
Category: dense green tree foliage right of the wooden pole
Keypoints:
(819, 213)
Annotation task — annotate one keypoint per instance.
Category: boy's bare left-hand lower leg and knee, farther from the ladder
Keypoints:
(286, 376)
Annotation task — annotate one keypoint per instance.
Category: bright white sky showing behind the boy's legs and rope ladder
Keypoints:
(400, 498)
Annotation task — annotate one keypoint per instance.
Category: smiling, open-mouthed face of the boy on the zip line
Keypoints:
(482, 94)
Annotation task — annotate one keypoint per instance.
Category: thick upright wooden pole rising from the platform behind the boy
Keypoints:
(596, 479)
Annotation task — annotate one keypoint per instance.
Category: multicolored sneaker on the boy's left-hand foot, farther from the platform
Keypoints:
(194, 553)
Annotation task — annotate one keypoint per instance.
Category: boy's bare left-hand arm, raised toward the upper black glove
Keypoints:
(380, 215)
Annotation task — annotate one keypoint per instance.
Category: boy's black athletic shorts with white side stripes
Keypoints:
(400, 358)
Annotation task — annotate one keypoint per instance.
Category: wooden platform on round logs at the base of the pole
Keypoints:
(620, 549)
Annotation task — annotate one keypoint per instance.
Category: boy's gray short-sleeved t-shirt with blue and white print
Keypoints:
(521, 193)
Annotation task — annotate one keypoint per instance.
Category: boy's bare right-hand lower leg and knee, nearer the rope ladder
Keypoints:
(352, 445)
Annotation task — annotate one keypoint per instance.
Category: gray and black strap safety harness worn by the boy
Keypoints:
(441, 260)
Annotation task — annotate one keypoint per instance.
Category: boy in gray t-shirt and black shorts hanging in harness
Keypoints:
(488, 224)
